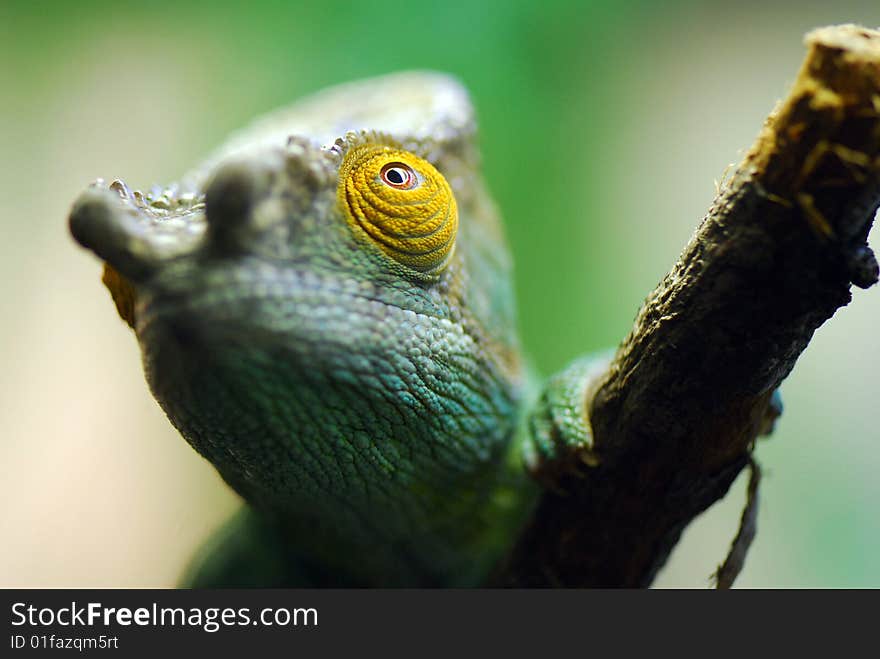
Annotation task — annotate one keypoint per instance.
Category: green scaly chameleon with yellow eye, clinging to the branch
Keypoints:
(325, 313)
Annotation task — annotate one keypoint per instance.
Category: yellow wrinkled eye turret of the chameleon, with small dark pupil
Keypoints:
(402, 203)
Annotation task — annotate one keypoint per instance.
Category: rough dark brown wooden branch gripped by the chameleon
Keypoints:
(675, 417)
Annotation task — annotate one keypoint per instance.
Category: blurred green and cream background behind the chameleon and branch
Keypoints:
(604, 125)
